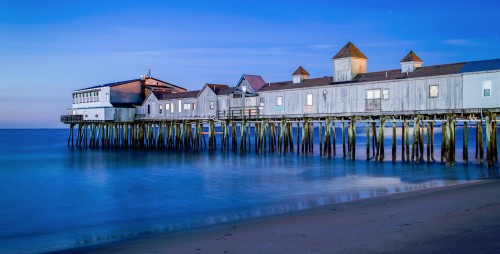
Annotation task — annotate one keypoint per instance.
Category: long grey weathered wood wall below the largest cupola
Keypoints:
(404, 96)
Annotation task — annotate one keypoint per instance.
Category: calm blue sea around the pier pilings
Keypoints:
(54, 197)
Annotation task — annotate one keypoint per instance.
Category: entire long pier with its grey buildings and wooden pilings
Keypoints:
(412, 97)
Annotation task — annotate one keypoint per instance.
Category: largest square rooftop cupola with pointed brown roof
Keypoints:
(348, 63)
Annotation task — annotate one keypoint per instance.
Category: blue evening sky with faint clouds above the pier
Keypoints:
(49, 48)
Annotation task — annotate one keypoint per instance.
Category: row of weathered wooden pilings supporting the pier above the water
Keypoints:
(276, 135)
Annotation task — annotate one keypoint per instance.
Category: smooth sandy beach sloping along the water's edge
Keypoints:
(455, 219)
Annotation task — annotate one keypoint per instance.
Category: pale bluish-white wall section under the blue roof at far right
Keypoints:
(473, 90)
